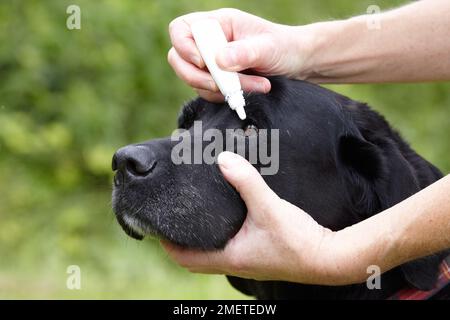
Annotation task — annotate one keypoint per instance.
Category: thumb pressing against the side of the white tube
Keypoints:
(246, 53)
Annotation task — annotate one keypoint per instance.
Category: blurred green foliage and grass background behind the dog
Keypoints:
(68, 99)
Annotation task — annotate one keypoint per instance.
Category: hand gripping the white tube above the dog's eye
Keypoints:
(264, 47)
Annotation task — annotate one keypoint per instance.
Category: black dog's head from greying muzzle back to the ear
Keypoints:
(192, 205)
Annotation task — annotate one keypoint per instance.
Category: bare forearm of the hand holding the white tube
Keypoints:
(410, 45)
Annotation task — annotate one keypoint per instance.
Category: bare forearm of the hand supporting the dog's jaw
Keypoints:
(415, 227)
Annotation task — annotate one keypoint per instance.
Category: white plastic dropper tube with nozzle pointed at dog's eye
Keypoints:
(210, 39)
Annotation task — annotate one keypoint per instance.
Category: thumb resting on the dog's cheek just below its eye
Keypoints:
(247, 181)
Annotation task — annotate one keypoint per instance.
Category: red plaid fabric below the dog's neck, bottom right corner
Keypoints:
(414, 294)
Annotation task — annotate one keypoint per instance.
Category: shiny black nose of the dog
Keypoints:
(134, 160)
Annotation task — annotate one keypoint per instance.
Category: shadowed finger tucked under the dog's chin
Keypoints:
(195, 260)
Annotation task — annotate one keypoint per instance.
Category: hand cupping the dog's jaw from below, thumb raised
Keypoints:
(278, 241)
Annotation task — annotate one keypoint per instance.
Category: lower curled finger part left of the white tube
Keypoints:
(189, 73)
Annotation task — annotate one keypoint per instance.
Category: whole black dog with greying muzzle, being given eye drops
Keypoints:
(338, 160)
